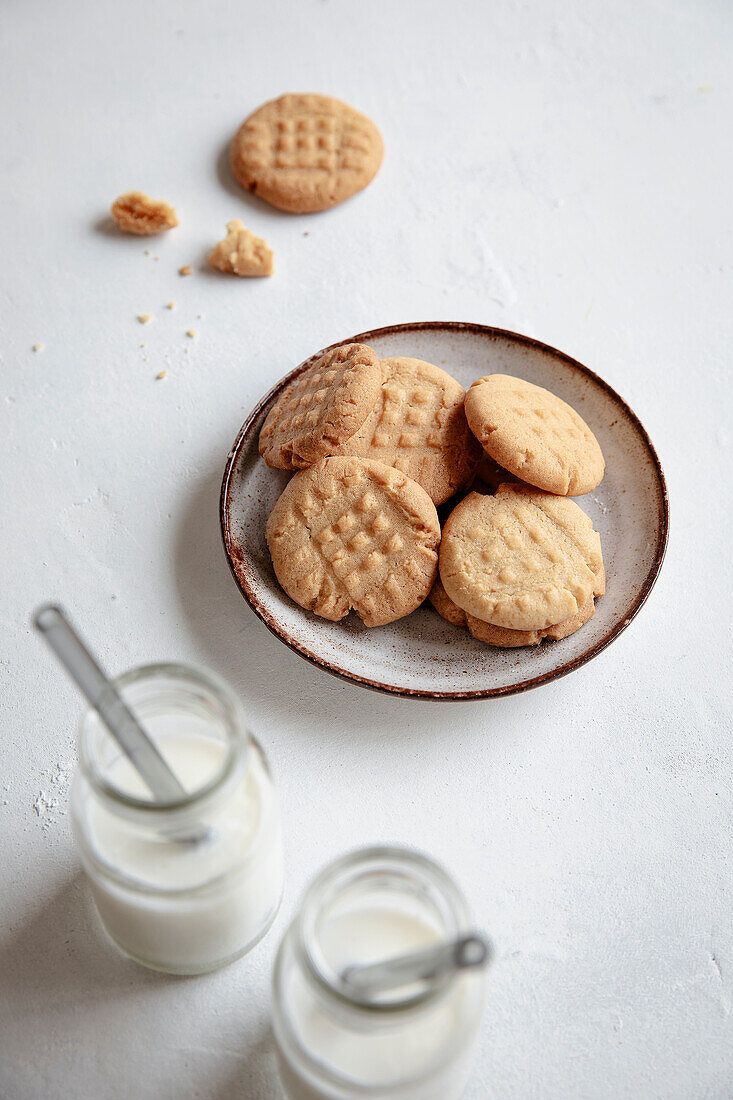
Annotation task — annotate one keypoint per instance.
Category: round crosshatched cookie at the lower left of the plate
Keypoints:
(354, 534)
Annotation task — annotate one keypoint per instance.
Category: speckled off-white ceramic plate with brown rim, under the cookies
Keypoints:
(423, 656)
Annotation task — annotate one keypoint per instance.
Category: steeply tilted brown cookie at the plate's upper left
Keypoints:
(322, 409)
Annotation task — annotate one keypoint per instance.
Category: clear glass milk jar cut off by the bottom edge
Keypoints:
(413, 1044)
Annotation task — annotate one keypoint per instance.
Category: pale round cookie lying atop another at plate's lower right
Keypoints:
(522, 559)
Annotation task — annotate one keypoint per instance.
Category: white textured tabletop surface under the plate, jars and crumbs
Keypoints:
(560, 169)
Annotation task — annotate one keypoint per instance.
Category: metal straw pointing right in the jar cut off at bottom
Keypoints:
(469, 952)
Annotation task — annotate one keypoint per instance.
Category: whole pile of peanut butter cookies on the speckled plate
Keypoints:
(377, 445)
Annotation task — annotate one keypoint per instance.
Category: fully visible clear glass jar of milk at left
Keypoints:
(189, 886)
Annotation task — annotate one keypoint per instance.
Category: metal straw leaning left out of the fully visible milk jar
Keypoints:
(108, 703)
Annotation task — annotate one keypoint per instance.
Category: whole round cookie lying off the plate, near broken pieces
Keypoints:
(304, 153)
